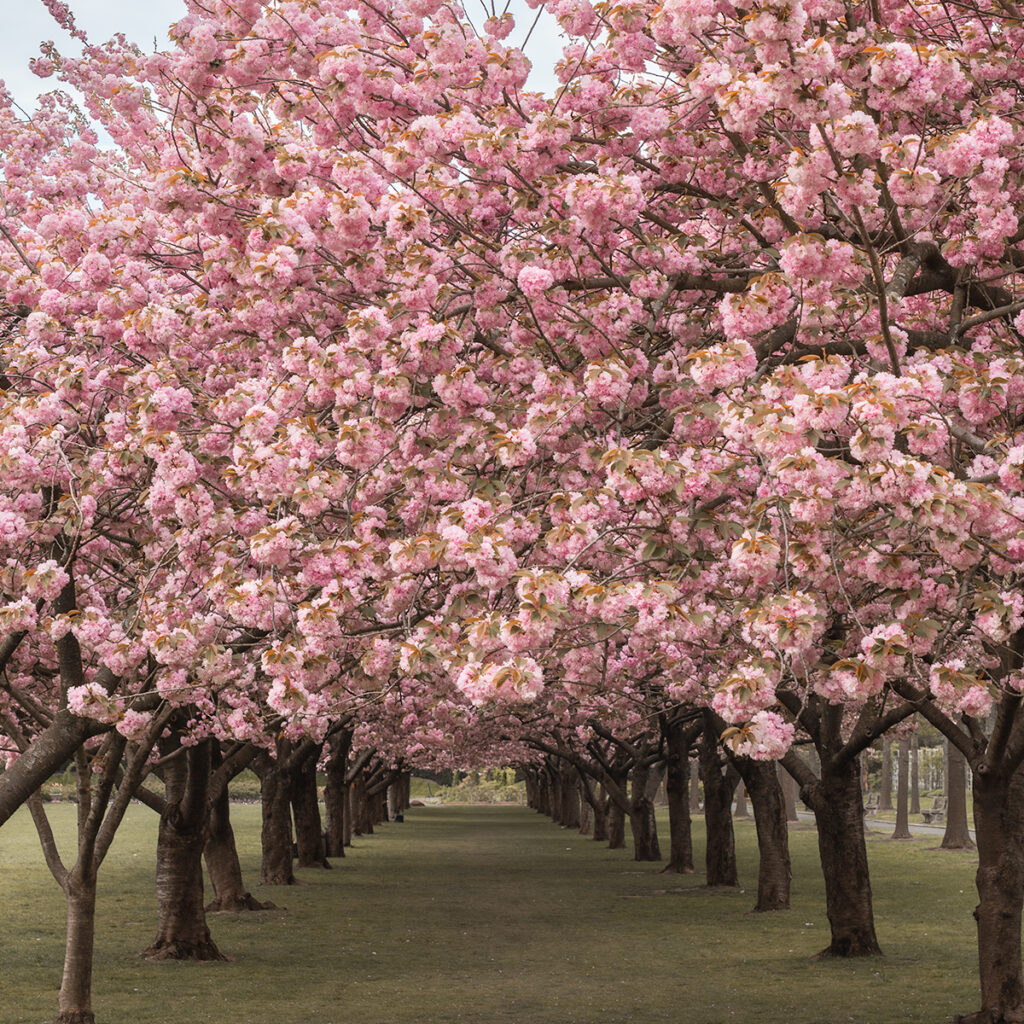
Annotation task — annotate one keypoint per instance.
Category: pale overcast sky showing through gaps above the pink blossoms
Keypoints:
(27, 23)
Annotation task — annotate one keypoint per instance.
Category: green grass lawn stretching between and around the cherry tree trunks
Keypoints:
(495, 916)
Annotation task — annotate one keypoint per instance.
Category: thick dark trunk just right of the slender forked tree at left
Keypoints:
(182, 928)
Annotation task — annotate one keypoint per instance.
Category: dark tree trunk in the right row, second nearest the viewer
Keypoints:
(839, 812)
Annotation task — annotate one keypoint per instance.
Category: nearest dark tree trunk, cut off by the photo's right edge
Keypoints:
(999, 822)
